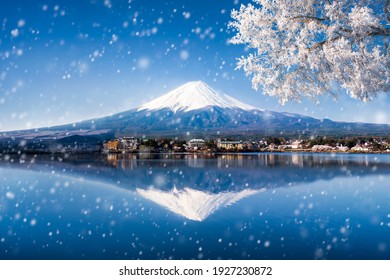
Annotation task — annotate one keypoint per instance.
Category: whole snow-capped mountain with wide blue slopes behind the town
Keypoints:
(197, 110)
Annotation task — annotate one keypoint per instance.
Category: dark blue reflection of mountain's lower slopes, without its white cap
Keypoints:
(213, 173)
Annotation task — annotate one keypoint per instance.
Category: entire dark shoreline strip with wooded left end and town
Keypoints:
(88, 144)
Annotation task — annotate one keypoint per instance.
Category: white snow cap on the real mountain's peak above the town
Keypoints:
(193, 96)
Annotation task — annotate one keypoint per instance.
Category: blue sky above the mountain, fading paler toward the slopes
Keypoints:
(64, 61)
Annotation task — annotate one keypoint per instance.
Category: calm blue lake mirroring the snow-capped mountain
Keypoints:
(188, 206)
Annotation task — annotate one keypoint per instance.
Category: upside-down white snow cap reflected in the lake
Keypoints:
(193, 204)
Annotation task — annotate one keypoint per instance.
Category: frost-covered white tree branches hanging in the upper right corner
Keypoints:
(310, 47)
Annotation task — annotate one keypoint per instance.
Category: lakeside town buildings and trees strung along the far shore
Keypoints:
(270, 144)
